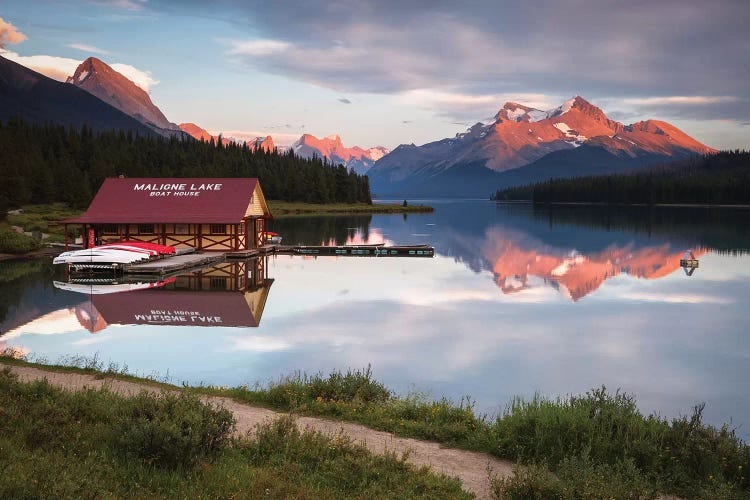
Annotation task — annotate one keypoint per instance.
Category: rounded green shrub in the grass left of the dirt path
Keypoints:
(173, 430)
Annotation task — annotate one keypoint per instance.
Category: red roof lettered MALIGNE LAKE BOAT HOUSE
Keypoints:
(169, 200)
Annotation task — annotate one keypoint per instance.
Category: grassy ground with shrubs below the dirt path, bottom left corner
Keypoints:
(93, 443)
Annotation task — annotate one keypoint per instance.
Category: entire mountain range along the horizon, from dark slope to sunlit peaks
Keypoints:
(519, 146)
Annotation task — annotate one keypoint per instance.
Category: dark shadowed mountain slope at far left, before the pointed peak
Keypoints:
(39, 99)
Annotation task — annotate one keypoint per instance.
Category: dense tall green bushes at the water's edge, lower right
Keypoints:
(610, 430)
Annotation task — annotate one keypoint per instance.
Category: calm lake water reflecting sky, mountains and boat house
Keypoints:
(517, 300)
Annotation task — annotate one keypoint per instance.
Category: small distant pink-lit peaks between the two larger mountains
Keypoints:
(331, 147)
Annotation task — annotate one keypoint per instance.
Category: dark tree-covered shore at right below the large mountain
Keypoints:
(721, 179)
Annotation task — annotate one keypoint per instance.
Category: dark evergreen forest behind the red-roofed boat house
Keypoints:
(51, 163)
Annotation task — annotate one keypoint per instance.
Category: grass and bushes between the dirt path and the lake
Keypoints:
(589, 446)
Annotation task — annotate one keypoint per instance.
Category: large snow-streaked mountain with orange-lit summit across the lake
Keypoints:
(521, 136)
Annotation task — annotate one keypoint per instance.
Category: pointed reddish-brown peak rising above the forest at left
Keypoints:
(99, 79)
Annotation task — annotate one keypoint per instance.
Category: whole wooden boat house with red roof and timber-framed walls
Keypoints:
(206, 214)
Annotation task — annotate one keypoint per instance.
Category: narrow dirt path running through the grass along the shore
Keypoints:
(470, 467)
